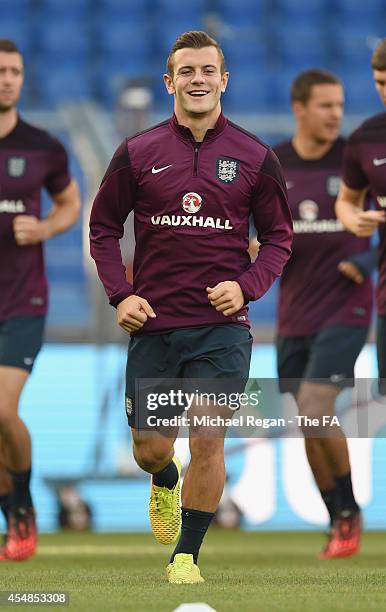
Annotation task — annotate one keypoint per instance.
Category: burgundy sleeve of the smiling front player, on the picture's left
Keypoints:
(113, 203)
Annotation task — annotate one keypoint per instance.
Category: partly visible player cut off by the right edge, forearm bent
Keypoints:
(364, 170)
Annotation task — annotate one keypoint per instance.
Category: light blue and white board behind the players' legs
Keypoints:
(73, 405)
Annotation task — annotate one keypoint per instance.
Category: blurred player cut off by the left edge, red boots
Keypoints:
(30, 159)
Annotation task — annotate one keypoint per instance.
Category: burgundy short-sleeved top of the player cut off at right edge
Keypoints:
(365, 166)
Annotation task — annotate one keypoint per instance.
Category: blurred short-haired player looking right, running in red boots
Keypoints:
(323, 315)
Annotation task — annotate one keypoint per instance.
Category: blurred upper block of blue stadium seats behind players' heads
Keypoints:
(114, 40)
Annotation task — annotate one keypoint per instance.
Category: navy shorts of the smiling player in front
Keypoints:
(218, 355)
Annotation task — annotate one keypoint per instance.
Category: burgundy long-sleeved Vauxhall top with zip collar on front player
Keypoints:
(192, 203)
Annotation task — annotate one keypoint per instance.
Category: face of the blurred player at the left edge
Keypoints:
(11, 80)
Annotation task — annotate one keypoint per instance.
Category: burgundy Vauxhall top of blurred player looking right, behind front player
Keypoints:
(313, 293)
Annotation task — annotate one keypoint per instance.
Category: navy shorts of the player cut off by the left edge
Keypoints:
(21, 339)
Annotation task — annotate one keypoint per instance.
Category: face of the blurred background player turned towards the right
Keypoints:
(321, 116)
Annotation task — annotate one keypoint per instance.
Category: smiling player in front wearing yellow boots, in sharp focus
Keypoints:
(192, 182)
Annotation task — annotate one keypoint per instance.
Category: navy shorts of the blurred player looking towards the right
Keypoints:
(327, 357)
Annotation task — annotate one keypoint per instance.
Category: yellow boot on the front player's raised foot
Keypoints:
(165, 510)
